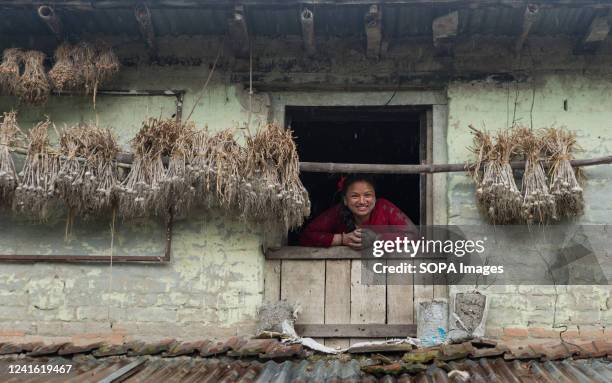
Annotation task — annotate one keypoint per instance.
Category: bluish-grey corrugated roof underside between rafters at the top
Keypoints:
(399, 21)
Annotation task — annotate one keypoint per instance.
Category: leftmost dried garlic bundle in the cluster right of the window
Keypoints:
(497, 195)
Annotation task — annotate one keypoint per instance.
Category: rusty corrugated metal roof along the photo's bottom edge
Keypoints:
(188, 369)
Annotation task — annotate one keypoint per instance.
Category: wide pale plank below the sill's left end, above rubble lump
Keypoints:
(303, 282)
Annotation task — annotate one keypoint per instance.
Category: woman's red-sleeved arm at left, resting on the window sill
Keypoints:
(323, 230)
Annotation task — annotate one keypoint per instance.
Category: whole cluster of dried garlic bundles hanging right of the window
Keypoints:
(540, 201)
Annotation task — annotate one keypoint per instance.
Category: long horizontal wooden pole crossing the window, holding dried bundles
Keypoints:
(124, 160)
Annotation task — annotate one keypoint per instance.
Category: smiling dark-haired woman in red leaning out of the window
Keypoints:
(341, 224)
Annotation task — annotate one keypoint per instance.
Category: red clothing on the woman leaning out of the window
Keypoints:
(320, 232)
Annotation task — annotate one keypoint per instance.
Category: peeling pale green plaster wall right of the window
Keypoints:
(529, 309)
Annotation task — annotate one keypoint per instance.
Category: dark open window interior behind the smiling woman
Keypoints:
(370, 135)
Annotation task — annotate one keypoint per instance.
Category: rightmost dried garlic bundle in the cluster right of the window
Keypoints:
(564, 181)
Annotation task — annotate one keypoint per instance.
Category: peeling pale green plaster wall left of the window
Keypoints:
(214, 283)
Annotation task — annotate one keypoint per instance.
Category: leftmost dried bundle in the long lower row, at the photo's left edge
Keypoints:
(8, 175)
